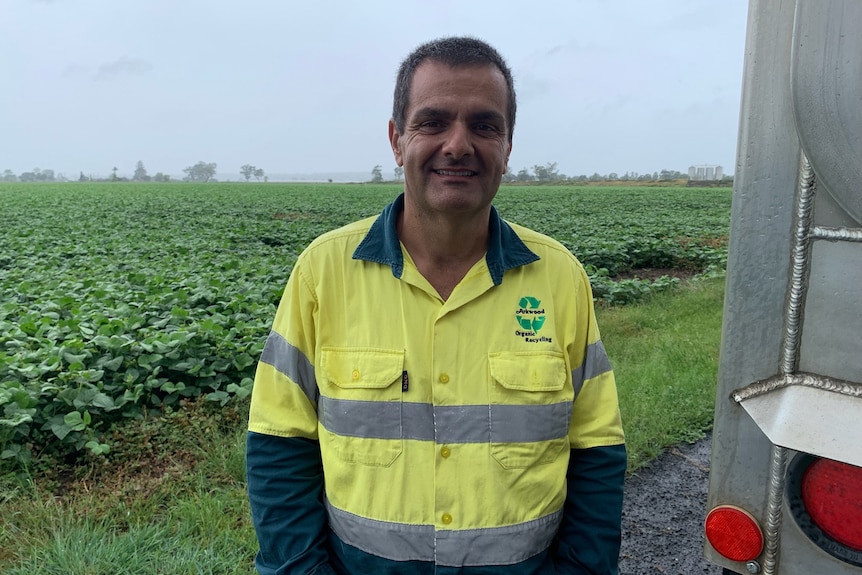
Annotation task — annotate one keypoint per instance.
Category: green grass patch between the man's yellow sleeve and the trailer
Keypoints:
(664, 352)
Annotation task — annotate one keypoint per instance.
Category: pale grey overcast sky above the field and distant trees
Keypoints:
(306, 87)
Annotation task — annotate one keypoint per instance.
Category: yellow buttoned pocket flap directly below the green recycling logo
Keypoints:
(528, 371)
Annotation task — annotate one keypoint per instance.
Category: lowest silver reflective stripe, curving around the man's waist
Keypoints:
(470, 547)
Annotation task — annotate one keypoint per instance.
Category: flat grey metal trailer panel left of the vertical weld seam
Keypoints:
(758, 266)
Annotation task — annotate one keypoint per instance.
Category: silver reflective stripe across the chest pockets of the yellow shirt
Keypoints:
(453, 424)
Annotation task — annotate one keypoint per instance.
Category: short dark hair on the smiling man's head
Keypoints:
(454, 51)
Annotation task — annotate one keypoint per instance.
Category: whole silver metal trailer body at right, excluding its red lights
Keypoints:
(760, 273)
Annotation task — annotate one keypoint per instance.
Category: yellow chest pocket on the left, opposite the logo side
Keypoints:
(360, 404)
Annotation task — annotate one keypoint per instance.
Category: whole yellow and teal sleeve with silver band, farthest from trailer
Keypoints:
(283, 461)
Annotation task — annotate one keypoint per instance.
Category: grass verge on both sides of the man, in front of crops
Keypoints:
(170, 498)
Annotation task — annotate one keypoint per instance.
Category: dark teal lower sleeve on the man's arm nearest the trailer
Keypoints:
(588, 542)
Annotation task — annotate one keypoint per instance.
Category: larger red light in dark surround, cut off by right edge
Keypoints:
(832, 494)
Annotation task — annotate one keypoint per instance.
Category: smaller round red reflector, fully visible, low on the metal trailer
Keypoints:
(734, 533)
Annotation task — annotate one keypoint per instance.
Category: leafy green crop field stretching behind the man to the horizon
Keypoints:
(123, 299)
